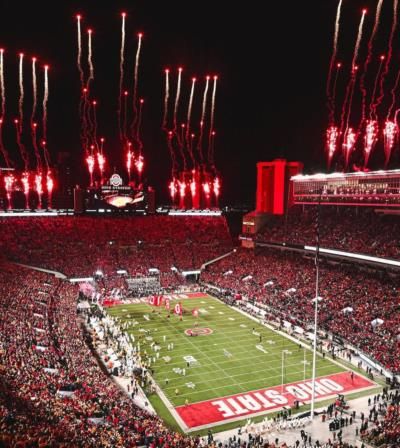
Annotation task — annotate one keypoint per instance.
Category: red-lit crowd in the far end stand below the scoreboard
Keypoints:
(77, 246)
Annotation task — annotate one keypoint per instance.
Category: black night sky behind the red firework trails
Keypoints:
(271, 58)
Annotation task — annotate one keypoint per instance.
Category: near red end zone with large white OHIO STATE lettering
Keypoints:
(244, 405)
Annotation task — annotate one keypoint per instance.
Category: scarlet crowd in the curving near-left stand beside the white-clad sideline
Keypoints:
(44, 358)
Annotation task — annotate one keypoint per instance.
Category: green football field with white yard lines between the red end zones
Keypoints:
(239, 355)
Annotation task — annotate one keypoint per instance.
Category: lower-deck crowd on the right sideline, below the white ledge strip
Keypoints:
(362, 308)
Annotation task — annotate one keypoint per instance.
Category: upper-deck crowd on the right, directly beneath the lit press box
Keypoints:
(359, 230)
